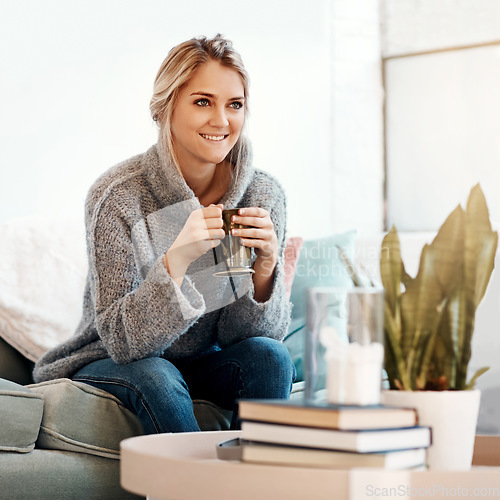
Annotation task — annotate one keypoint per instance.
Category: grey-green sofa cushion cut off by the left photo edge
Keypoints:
(20, 416)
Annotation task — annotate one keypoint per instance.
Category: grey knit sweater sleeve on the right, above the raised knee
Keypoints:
(246, 317)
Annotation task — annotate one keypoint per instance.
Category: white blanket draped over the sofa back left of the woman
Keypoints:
(43, 266)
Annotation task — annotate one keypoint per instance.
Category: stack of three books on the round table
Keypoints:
(288, 432)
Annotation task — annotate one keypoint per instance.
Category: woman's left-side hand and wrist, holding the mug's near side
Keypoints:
(201, 232)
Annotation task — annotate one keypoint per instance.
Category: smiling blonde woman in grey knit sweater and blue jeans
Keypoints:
(158, 328)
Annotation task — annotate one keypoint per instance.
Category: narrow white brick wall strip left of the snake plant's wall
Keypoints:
(356, 139)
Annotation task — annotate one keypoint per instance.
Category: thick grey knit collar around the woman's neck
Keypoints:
(169, 186)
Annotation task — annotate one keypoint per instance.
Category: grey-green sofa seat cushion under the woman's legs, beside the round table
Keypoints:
(79, 417)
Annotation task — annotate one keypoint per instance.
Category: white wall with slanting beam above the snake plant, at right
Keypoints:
(442, 109)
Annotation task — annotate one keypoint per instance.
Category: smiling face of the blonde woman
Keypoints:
(208, 116)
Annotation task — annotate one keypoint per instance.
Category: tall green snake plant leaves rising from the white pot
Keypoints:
(429, 319)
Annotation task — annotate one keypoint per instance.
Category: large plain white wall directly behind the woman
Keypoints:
(77, 78)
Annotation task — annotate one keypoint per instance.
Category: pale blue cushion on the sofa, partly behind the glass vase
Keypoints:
(319, 264)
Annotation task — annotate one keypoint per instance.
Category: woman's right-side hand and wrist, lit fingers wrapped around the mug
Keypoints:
(262, 238)
